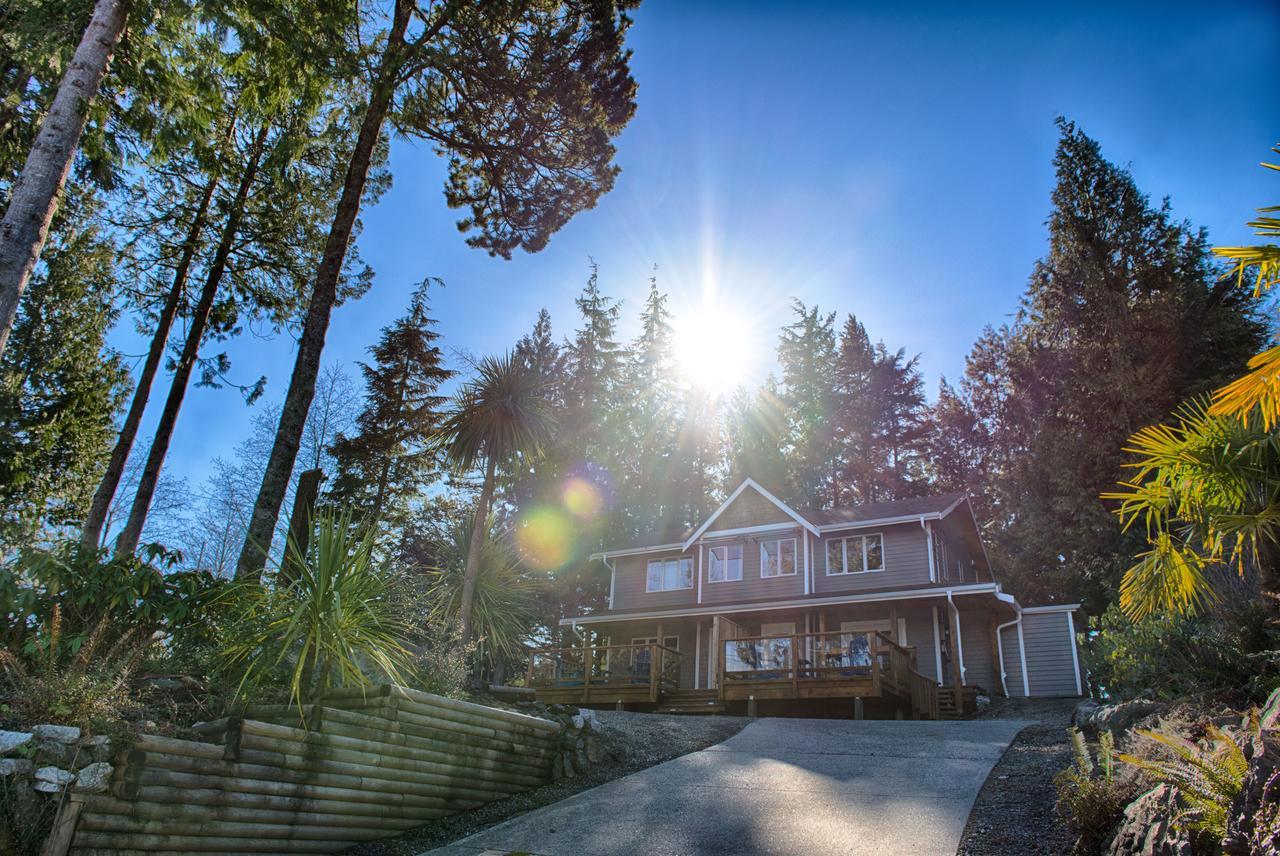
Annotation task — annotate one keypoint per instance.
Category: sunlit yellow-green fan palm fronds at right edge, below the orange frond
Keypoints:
(1208, 489)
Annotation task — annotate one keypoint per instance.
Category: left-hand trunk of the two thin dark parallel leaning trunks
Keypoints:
(93, 533)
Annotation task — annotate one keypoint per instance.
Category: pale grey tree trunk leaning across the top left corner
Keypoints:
(35, 196)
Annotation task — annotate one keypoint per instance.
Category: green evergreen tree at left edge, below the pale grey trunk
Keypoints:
(60, 386)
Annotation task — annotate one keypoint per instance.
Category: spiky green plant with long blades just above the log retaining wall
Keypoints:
(331, 617)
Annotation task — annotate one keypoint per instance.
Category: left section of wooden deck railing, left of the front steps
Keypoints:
(638, 672)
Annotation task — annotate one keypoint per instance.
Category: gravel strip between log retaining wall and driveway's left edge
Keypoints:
(632, 741)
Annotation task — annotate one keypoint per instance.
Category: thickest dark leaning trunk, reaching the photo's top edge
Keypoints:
(324, 291)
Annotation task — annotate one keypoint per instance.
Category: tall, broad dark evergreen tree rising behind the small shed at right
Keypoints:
(1123, 318)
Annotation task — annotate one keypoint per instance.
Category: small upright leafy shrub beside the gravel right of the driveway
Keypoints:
(1091, 797)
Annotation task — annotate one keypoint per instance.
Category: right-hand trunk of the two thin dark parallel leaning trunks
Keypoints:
(129, 541)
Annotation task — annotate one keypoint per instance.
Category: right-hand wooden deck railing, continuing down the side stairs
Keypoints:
(831, 665)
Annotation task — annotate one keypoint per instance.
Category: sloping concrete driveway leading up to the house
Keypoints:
(780, 786)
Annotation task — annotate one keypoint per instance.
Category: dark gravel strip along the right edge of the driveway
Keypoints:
(1014, 812)
